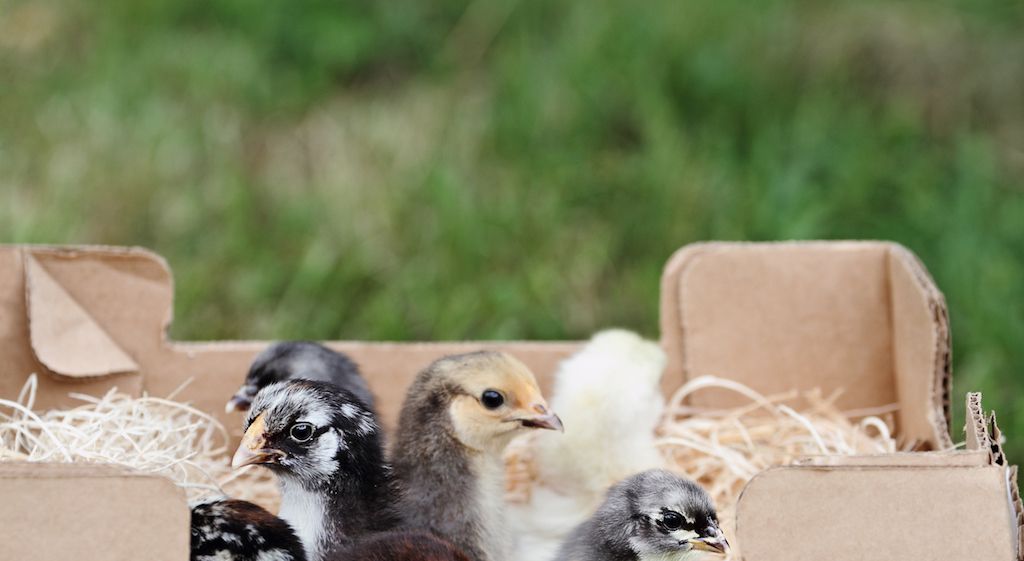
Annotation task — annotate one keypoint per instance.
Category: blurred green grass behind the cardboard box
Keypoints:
(448, 169)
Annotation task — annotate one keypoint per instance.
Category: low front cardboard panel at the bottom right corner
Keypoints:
(856, 513)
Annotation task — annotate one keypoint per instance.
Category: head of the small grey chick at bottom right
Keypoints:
(666, 516)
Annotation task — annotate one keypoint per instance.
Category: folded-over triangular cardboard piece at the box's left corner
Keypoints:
(65, 337)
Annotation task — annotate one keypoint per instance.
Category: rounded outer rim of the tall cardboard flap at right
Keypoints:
(674, 330)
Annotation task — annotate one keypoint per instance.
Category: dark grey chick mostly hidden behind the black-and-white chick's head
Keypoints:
(301, 361)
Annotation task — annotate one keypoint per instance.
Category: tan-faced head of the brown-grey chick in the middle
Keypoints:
(493, 398)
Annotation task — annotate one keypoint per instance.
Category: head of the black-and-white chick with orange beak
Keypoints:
(311, 433)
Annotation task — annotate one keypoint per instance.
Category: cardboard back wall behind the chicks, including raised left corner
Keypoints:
(87, 320)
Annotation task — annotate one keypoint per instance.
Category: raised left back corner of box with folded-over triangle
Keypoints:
(86, 319)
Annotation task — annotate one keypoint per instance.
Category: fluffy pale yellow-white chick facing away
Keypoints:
(610, 400)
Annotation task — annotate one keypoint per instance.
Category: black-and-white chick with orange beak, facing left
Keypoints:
(325, 447)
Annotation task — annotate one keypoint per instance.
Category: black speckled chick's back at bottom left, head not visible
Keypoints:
(238, 531)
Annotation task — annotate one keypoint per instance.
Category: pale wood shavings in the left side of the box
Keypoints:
(149, 435)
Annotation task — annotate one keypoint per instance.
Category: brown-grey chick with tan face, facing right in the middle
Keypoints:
(459, 416)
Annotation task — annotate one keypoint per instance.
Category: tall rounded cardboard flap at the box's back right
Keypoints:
(862, 317)
